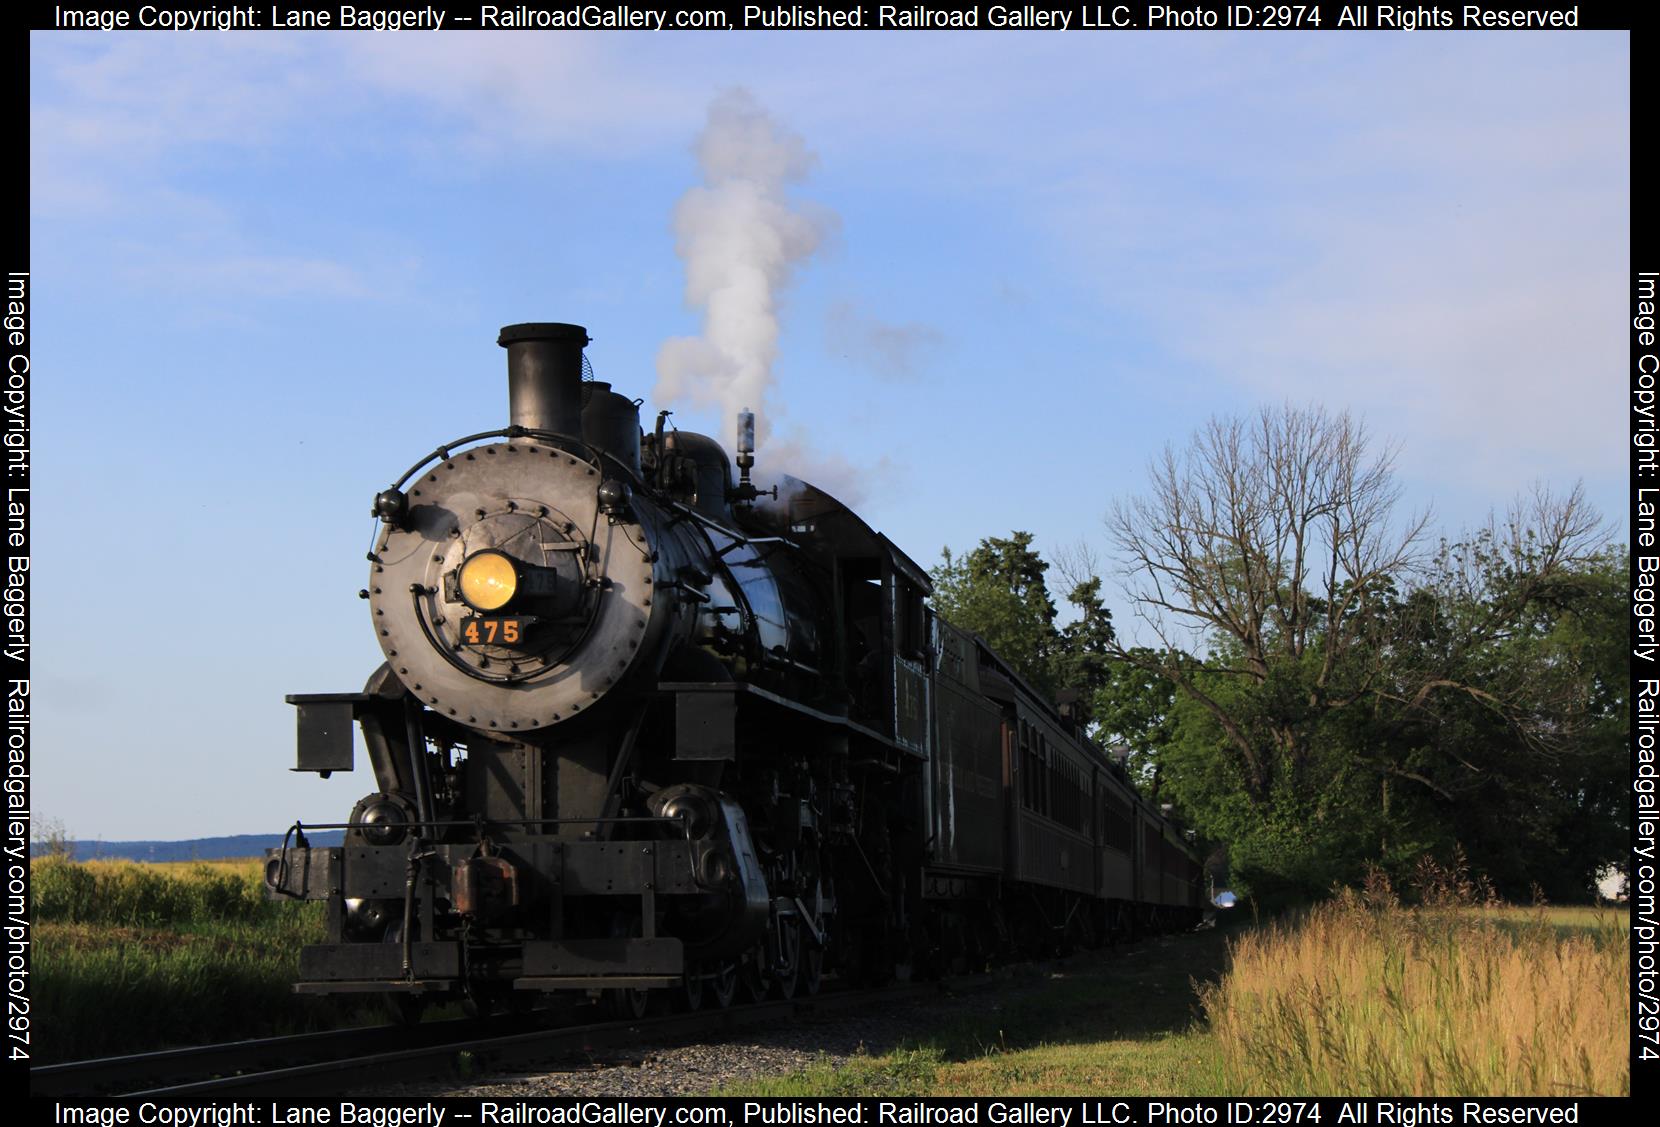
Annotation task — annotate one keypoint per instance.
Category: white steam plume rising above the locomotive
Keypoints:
(741, 240)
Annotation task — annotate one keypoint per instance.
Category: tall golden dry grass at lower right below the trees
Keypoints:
(1455, 997)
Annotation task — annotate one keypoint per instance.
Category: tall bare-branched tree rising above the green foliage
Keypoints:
(1261, 554)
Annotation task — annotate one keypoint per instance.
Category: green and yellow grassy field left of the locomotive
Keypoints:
(139, 957)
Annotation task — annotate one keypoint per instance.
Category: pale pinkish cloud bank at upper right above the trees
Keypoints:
(1433, 238)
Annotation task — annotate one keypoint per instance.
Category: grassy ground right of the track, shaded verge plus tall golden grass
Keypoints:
(1355, 997)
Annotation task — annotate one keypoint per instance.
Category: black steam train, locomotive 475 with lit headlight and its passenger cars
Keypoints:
(647, 731)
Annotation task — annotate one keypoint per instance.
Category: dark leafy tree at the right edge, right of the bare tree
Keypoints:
(1518, 754)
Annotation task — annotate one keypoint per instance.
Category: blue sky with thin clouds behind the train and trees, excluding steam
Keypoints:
(268, 275)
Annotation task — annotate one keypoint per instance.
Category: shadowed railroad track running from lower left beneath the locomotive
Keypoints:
(308, 1065)
